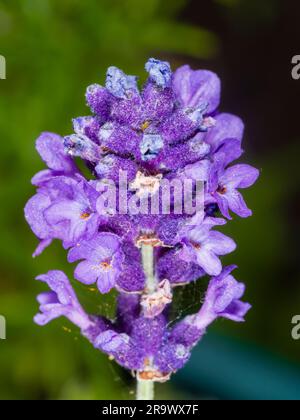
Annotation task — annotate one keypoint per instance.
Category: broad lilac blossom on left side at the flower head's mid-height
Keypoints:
(64, 208)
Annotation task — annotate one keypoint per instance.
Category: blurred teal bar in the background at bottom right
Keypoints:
(228, 369)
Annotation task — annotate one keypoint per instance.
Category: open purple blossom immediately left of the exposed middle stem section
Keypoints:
(102, 261)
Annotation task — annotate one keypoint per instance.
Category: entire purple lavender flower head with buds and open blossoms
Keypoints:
(170, 129)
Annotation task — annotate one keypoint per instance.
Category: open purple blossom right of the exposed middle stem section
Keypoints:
(203, 246)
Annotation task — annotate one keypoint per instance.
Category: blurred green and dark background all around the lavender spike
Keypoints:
(54, 49)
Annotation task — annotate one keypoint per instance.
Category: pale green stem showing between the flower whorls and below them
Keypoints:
(145, 388)
